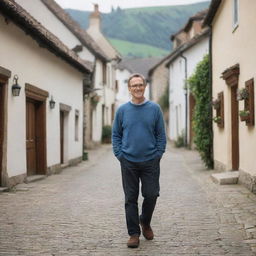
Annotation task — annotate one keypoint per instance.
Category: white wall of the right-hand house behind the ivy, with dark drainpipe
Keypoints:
(176, 87)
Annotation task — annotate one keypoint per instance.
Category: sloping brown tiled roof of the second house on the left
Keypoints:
(72, 25)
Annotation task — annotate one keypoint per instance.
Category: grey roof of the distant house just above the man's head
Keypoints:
(138, 65)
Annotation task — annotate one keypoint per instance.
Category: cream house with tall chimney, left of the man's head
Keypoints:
(105, 78)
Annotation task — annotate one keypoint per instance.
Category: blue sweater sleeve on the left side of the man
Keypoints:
(117, 134)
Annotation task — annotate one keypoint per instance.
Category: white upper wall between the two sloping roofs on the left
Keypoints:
(38, 10)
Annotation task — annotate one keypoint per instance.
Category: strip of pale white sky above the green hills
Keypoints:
(105, 5)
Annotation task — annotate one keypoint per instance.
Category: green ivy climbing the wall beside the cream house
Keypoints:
(200, 87)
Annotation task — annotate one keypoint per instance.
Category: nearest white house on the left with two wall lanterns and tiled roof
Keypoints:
(42, 124)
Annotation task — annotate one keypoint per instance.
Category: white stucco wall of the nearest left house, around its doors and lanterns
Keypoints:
(37, 66)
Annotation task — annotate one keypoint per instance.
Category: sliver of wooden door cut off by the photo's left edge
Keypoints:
(1, 127)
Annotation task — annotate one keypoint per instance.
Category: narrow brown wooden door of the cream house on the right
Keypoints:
(234, 129)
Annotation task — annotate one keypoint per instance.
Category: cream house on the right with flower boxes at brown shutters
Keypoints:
(233, 74)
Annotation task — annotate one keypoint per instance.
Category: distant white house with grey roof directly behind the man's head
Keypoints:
(127, 67)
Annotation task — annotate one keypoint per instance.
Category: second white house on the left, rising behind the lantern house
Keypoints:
(54, 18)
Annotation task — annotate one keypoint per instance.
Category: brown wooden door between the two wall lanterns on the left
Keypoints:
(31, 137)
